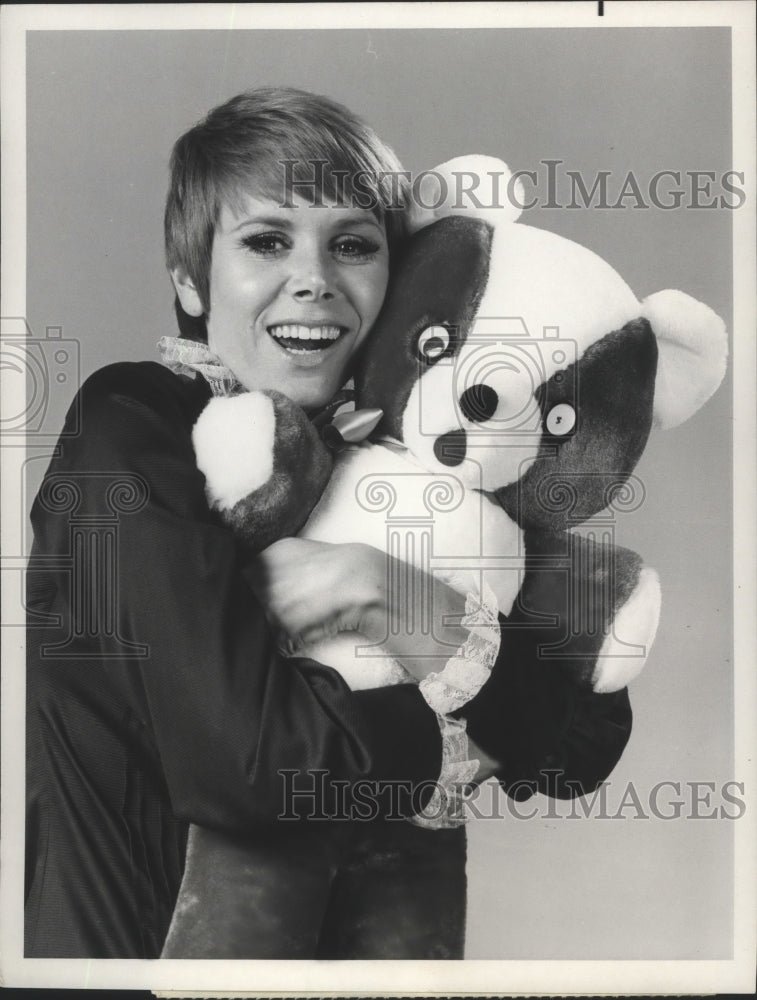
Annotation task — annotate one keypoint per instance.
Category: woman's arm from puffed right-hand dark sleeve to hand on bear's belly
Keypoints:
(528, 724)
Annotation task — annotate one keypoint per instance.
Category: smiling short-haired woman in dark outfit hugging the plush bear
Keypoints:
(163, 701)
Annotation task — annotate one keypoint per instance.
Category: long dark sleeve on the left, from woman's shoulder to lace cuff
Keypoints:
(229, 716)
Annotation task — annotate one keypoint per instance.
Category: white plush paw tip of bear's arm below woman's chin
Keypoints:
(233, 441)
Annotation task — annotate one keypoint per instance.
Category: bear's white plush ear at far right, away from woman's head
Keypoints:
(692, 351)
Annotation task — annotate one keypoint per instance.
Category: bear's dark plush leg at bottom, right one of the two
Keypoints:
(401, 894)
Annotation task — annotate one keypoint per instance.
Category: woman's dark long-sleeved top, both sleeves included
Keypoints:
(156, 697)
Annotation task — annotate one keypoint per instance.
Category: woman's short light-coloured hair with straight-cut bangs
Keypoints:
(266, 139)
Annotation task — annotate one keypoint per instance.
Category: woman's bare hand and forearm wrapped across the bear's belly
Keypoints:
(313, 590)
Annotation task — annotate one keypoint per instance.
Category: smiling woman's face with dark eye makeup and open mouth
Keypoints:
(294, 292)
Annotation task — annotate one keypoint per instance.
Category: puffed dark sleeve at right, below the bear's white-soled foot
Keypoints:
(547, 734)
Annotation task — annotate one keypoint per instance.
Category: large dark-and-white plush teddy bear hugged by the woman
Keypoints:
(507, 389)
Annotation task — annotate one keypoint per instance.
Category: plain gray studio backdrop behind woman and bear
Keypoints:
(103, 110)
